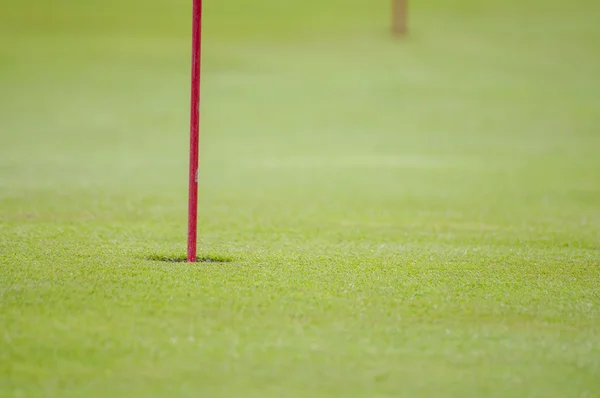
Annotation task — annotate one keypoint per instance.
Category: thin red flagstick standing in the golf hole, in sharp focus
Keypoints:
(194, 131)
